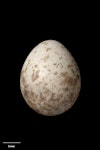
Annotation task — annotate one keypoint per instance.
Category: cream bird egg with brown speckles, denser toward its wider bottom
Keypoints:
(50, 79)
